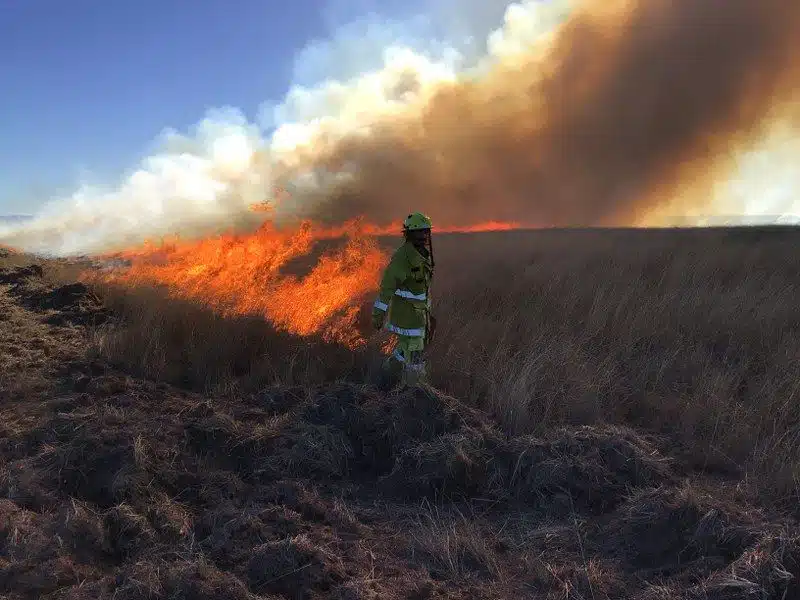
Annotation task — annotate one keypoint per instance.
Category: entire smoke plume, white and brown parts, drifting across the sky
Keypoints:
(591, 113)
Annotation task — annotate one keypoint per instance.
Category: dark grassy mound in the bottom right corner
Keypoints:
(687, 535)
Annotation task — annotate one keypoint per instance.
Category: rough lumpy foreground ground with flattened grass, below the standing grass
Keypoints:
(118, 487)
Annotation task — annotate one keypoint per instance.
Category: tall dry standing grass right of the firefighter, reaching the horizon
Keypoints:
(692, 333)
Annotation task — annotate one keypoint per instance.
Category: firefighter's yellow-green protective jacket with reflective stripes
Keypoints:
(405, 292)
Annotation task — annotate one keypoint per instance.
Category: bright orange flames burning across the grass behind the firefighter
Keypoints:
(250, 274)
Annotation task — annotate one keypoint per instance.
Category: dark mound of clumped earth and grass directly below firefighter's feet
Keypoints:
(341, 432)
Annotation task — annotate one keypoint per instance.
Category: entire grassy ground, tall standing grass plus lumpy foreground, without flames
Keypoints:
(613, 414)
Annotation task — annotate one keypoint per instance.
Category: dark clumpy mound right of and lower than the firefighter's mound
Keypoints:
(585, 469)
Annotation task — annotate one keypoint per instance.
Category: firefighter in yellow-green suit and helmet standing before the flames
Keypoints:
(404, 305)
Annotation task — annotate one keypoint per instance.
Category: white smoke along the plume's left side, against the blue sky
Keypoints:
(207, 181)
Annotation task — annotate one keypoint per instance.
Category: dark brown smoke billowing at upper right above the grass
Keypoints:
(634, 101)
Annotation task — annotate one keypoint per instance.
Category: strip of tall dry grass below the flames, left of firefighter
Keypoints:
(186, 344)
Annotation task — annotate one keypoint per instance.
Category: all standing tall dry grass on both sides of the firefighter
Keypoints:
(694, 334)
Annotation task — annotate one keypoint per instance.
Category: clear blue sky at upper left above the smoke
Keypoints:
(87, 85)
